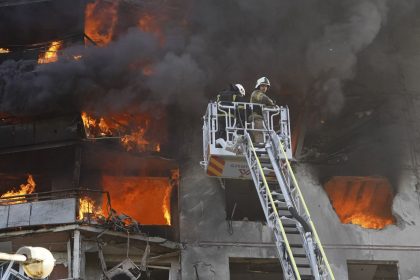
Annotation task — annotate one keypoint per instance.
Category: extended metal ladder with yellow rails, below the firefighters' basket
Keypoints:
(298, 246)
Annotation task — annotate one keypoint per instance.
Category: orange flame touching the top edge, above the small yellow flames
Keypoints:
(101, 20)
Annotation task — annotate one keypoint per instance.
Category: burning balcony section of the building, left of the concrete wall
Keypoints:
(99, 190)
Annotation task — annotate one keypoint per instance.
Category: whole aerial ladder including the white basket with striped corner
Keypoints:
(229, 151)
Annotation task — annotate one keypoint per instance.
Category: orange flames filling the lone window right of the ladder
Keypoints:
(363, 201)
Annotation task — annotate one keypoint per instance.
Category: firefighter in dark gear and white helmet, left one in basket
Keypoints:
(235, 93)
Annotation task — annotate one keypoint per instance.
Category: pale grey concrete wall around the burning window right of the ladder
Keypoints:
(398, 242)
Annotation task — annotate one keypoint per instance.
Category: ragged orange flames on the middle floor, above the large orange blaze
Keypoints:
(132, 130)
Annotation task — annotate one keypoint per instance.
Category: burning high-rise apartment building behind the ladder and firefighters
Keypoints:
(100, 134)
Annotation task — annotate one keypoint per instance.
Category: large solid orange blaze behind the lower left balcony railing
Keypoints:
(146, 199)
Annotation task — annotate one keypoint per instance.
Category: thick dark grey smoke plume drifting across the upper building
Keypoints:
(308, 48)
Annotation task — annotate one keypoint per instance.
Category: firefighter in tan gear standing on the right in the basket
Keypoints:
(259, 96)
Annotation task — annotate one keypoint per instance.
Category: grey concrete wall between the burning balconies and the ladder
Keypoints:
(205, 233)
